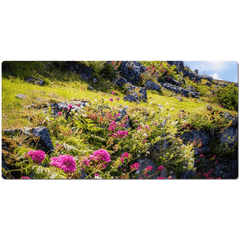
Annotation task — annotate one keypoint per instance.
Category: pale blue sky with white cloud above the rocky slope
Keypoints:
(222, 70)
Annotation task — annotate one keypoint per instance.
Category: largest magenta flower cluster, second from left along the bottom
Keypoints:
(64, 162)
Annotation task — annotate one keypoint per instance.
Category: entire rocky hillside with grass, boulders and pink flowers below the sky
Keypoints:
(116, 120)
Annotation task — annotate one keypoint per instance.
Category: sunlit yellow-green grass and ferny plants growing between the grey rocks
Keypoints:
(88, 131)
